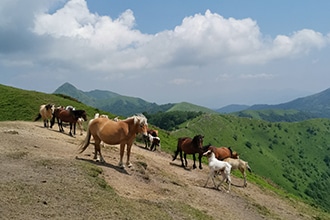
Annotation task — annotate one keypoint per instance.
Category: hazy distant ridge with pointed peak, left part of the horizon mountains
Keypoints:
(123, 105)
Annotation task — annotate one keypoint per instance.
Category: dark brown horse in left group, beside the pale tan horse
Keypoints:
(70, 116)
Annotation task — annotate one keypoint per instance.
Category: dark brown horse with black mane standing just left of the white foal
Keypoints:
(190, 146)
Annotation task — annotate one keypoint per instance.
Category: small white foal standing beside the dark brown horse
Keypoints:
(217, 166)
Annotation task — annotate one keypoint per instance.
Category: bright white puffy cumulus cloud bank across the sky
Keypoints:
(200, 40)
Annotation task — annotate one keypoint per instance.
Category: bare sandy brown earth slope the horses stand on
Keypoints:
(40, 179)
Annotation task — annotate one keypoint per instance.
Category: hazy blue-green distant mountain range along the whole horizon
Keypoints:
(314, 106)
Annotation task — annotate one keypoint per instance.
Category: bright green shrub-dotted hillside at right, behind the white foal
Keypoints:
(295, 156)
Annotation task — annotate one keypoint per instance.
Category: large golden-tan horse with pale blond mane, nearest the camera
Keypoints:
(122, 132)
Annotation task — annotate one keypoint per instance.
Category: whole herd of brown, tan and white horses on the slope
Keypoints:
(123, 133)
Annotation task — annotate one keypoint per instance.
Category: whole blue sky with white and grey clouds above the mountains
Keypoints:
(208, 53)
